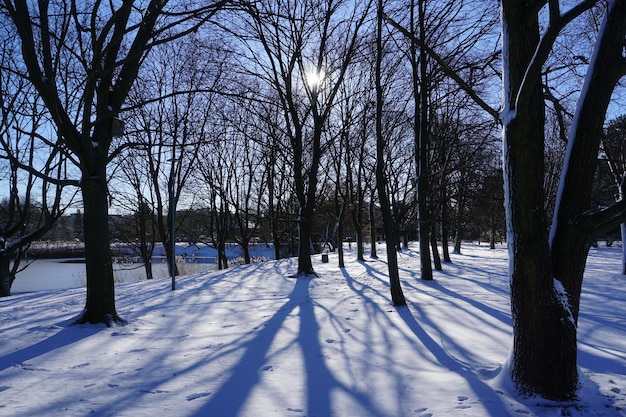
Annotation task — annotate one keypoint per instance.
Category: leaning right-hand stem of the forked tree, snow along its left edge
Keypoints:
(574, 229)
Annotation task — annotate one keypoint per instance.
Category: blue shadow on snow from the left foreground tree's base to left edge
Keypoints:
(64, 337)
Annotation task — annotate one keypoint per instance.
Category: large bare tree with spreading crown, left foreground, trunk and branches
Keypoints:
(83, 59)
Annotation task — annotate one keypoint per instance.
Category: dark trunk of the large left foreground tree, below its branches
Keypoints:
(100, 305)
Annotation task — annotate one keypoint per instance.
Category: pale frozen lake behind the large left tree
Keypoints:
(54, 274)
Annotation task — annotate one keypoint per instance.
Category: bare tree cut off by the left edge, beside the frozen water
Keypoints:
(32, 204)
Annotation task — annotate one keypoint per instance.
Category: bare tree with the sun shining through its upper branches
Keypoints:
(307, 47)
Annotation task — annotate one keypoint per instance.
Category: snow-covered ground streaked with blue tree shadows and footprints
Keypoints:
(253, 341)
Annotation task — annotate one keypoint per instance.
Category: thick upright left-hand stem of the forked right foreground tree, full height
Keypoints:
(544, 336)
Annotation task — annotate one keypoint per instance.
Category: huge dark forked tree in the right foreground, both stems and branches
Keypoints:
(546, 267)
